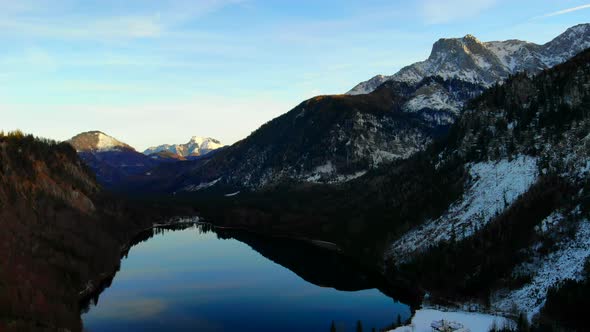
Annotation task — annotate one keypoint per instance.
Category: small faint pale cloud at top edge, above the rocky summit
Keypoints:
(445, 11)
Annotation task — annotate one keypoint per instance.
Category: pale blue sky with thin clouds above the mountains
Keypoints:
(153, 72)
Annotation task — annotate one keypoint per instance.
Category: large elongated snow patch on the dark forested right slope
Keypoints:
(494, 185)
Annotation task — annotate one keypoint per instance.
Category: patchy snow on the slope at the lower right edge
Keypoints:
(567, 262)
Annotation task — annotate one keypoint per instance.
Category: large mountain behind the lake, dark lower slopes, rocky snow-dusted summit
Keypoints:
(334, 139)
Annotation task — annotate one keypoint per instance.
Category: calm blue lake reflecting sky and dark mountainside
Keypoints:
(203, 279)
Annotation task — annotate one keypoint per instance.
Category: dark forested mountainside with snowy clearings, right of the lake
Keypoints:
(495, 215)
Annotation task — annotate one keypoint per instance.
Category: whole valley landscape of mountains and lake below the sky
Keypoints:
(457, 187)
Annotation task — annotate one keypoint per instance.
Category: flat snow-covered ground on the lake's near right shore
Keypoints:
(474, 322)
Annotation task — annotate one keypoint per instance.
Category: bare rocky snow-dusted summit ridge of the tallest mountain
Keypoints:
(486, 63)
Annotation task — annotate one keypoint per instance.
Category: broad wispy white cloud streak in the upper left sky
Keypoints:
(46, 19)
